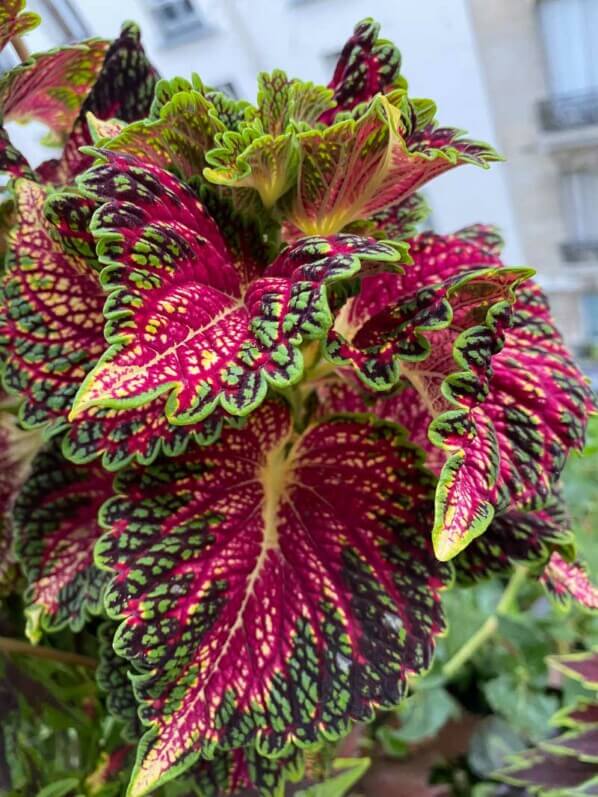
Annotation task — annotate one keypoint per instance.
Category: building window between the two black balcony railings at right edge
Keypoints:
(580, 201)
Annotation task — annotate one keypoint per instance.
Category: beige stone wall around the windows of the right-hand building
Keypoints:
(511, 54)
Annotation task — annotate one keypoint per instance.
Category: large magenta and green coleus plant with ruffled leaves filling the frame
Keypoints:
(252, 417)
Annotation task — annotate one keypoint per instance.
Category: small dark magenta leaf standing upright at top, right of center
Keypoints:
(367, 65)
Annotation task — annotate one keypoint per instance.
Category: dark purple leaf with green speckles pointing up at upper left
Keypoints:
(124, 88)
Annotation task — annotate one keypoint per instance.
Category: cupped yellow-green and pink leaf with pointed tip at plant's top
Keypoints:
(358, 167)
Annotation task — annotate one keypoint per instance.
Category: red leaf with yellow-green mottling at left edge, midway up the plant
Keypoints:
(51, 329)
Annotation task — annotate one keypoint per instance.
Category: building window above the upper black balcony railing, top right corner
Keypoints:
(570, 32)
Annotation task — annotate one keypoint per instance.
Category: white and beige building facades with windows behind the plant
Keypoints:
(521, 74)
